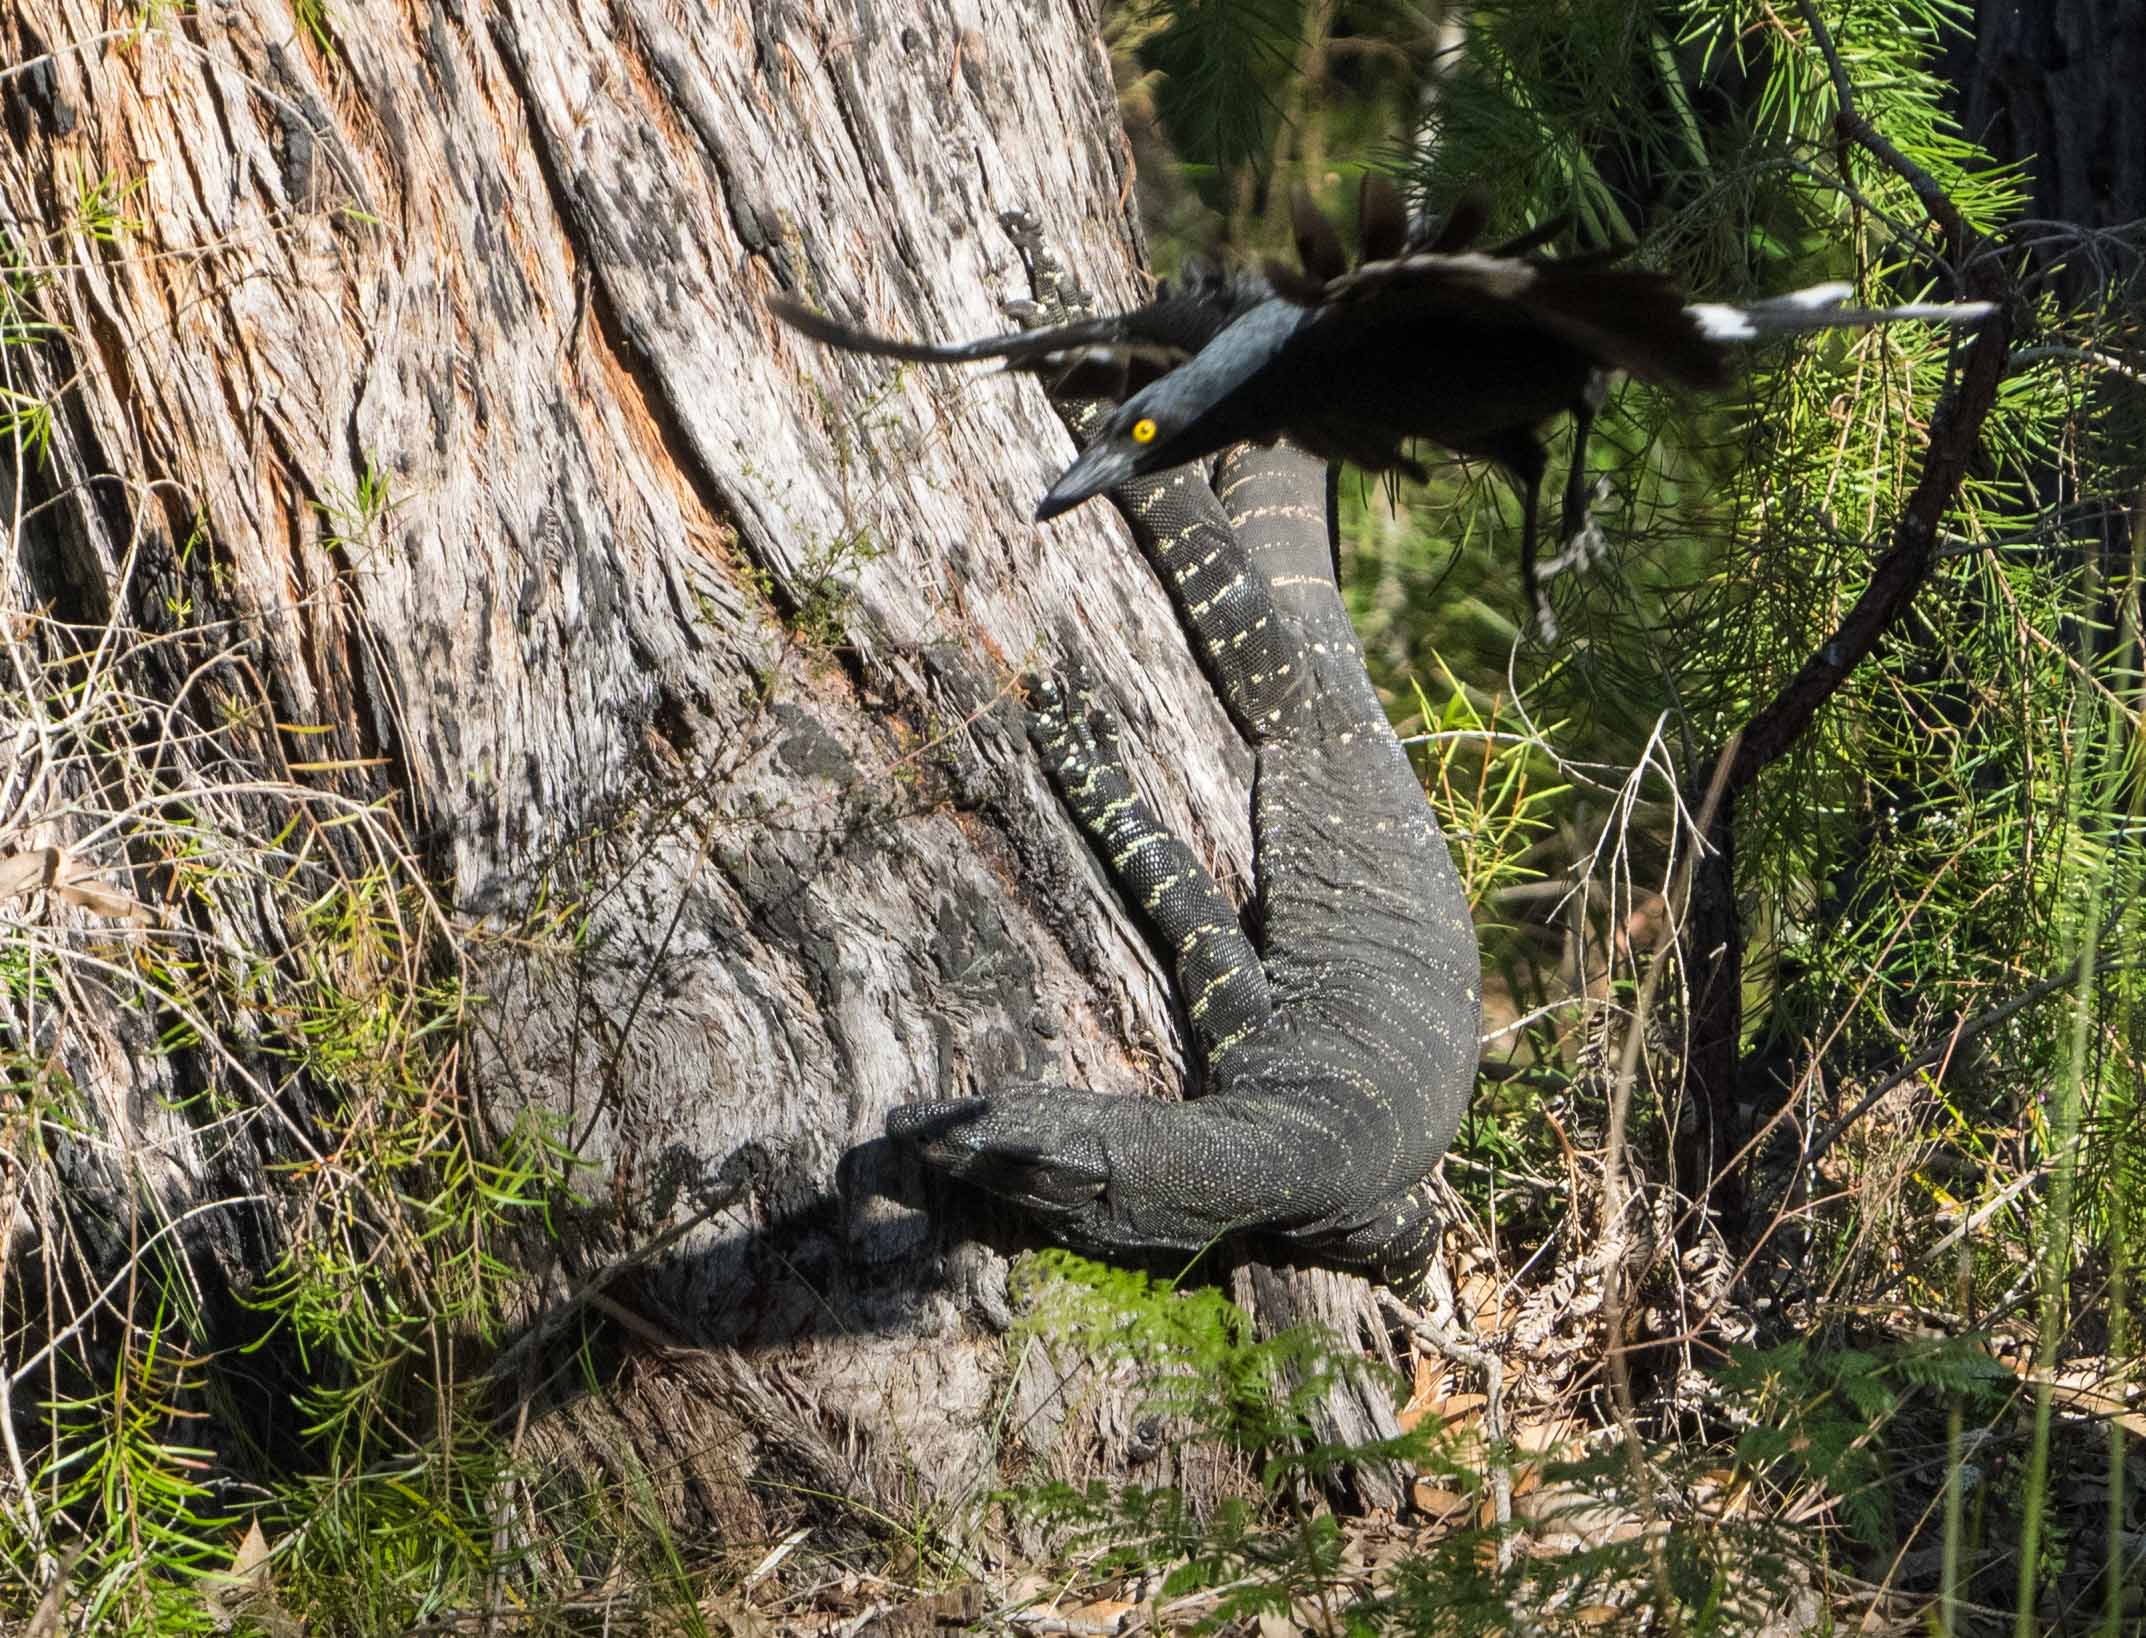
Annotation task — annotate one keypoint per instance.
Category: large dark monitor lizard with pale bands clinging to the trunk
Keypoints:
(1342, 1049)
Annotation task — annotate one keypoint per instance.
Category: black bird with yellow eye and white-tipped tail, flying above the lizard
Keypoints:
(1424, 338)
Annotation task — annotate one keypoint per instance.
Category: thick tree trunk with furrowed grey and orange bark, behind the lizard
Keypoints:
(435, 366)
